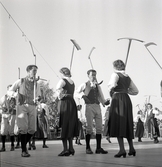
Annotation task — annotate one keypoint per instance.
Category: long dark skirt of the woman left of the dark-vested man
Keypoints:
(68, 120)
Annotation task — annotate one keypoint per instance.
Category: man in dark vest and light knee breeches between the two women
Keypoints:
(92, 94)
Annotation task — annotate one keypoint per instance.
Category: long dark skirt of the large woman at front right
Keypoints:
(121, 117)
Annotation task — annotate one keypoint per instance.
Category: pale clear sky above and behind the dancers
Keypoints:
(50, 25)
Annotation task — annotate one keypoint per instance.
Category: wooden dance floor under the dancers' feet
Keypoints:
(148, 155)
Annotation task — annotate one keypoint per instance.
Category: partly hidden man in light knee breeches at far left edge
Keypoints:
(8, 110)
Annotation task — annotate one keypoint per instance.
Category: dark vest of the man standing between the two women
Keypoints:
(92, 93)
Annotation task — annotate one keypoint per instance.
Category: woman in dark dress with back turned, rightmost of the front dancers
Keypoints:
(121, 116)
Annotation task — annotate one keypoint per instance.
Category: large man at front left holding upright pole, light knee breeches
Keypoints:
(28, 92)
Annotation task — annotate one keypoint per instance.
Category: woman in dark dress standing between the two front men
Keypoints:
(67, 109)
